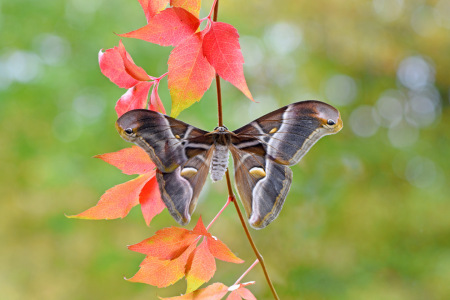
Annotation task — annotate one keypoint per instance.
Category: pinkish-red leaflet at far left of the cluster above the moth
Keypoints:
(112, 66)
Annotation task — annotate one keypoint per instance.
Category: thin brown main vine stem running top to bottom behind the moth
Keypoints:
(230, 190)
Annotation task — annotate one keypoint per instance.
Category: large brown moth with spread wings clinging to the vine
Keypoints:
(262, 152)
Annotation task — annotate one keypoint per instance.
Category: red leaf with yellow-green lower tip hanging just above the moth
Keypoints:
(190, 73)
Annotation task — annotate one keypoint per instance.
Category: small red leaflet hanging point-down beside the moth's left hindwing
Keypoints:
(150, 199)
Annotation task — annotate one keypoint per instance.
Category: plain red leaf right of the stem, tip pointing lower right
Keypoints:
(221, 48)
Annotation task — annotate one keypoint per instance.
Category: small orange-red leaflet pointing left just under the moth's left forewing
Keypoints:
(130, 161)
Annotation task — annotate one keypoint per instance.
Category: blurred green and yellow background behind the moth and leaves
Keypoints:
(367, 216)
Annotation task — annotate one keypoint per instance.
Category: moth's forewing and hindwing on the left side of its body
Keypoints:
(181, 153)
